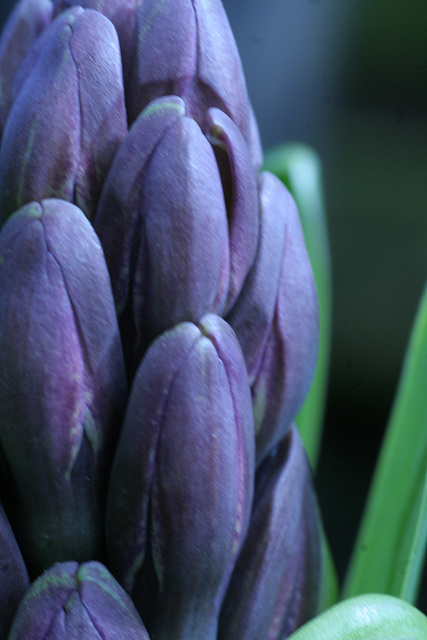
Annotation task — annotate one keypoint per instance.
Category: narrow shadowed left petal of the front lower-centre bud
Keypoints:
(127, 510)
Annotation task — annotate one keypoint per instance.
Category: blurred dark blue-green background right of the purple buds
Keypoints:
(350, 79)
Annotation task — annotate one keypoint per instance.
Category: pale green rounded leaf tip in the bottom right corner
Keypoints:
(366, 617)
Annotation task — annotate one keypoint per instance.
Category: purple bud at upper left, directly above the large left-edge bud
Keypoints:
(68, 117)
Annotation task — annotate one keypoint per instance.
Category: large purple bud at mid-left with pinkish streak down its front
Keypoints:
(62, 381)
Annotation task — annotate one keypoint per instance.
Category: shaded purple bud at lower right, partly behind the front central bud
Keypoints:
(275, 586)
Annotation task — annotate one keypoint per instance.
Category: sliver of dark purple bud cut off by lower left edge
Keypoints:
(13, 575)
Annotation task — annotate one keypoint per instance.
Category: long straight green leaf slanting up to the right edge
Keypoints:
(389, 552)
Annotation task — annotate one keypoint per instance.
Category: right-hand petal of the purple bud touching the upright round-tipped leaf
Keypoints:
(289, 359)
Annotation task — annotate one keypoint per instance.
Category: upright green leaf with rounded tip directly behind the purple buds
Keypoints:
(298, 166)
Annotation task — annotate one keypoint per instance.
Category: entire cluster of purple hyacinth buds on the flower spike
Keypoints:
(158, 334)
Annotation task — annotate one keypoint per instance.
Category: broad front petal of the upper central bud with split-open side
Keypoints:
(185, 228)
